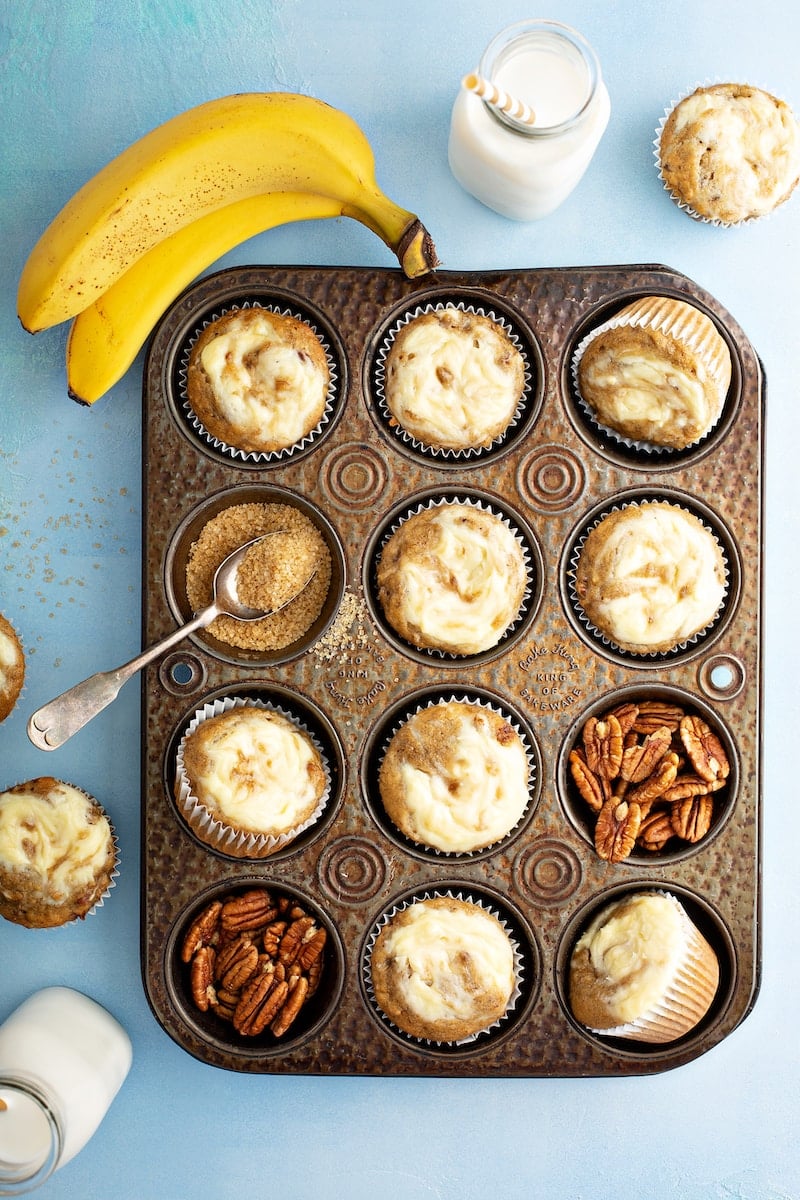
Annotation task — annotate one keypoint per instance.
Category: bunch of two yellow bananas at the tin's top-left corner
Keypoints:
(178, 200)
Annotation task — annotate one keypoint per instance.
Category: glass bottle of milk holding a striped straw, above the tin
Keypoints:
(522, 170)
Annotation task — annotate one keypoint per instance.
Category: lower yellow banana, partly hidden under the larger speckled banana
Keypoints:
(106, 338)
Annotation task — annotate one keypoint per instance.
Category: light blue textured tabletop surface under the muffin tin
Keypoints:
(81, 81)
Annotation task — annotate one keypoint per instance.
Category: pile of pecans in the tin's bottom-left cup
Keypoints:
(255, 961)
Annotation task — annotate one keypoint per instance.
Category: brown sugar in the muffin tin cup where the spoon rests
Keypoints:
(302, 544)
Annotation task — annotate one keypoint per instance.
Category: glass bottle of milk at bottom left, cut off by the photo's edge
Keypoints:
(63, 1060)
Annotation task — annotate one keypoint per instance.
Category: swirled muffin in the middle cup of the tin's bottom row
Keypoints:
(443, 969)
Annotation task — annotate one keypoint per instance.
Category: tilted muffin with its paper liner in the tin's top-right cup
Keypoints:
(658, 374)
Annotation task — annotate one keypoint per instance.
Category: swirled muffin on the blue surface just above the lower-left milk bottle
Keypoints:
(58, 855)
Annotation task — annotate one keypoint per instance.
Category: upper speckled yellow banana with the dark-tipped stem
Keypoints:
(201, 161)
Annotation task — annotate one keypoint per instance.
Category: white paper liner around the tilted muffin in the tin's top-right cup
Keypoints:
(653, 313)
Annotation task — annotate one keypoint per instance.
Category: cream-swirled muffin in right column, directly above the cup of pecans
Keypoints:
(651, 577)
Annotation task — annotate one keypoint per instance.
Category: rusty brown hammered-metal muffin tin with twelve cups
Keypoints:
(552, 475)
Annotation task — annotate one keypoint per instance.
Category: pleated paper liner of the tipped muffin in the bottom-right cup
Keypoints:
(685, 1003)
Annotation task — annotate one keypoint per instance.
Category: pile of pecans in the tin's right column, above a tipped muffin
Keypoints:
(648, 771)
